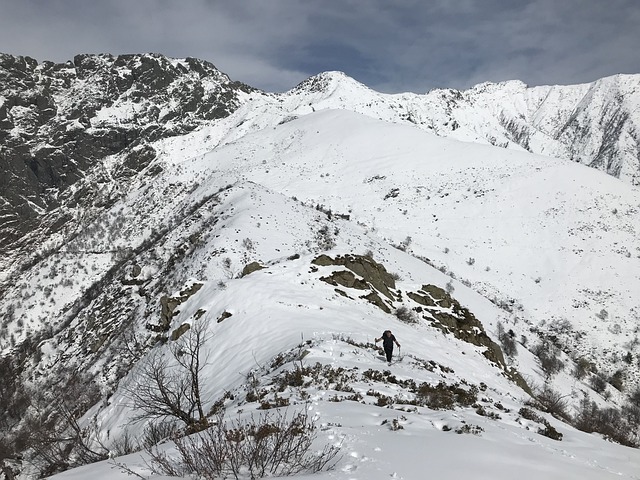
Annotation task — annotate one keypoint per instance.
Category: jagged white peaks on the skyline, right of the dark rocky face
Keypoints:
(595, 124)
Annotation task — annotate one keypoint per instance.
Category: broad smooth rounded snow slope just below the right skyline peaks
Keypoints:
(550, 239)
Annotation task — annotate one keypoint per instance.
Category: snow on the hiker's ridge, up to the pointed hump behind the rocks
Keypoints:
(286, 309)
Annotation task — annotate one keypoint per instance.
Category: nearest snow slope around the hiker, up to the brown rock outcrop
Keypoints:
(290, 314)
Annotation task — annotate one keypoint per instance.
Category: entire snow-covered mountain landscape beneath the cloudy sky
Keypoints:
(143, 196)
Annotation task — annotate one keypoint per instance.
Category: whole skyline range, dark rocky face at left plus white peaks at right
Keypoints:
(59, 121)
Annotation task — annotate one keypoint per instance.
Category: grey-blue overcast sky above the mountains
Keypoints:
(389, 45)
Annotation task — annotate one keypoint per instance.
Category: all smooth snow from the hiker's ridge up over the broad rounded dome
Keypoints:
(457, 202)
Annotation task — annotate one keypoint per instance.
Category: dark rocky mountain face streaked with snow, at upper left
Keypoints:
(58, 122)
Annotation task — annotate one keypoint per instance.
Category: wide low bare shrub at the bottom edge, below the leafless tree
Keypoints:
(271, 445)
